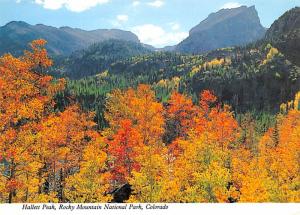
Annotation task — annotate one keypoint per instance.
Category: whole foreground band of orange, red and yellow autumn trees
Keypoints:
(175, 151)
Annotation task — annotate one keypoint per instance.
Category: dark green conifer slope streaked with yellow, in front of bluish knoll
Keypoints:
(254, 78)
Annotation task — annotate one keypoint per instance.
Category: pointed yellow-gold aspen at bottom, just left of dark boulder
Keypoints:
(91, 183)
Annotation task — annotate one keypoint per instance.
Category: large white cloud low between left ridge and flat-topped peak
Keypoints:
(157, 36)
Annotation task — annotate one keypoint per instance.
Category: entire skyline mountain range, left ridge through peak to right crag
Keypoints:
(225, 28)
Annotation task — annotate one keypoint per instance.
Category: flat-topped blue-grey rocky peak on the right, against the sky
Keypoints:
(225, 28)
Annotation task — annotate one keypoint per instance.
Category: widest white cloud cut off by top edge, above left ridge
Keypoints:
(72, 5)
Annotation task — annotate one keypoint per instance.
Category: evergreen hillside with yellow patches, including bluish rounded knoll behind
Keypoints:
(255, 78)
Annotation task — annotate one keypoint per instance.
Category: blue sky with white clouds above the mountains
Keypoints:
(156, 22)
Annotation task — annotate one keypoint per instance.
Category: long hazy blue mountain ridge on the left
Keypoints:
(15, 36)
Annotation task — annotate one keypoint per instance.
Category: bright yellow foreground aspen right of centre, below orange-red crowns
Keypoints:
(201, 171)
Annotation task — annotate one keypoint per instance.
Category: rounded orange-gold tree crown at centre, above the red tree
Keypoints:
(139, 106)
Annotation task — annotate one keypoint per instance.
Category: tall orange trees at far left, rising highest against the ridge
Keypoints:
(40, 147)
